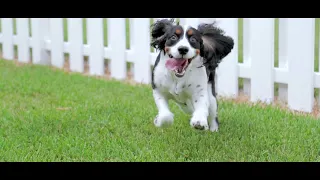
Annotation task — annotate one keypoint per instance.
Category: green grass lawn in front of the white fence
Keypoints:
(102, 120)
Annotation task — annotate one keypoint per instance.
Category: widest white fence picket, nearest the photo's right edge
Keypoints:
(301, 60)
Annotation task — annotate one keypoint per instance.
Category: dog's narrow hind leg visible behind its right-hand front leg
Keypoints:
(213, 109)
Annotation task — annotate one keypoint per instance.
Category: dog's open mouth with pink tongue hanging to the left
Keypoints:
(178, 65)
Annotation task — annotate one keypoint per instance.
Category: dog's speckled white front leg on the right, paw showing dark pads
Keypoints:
(200, 102)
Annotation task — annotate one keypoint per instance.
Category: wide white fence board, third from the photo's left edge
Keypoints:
(40, 34)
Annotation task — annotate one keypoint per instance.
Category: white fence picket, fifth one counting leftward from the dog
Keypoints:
(56, 33)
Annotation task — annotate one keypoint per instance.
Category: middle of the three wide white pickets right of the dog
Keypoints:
(262, 56)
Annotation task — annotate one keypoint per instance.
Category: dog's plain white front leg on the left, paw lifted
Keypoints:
(165, 116)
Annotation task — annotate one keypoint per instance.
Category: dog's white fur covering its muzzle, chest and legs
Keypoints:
(192, 93)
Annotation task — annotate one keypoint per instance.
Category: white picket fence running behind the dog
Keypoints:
(295, 73)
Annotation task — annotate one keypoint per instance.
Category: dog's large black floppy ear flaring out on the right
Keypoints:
(215, 44)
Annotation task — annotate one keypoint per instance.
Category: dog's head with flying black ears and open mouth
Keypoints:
(183, 44)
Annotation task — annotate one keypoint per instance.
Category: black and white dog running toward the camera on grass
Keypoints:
(184, 71)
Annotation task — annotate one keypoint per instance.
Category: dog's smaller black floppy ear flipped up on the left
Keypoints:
(159, 31)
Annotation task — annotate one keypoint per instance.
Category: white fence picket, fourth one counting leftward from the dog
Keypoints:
(75, 34)
